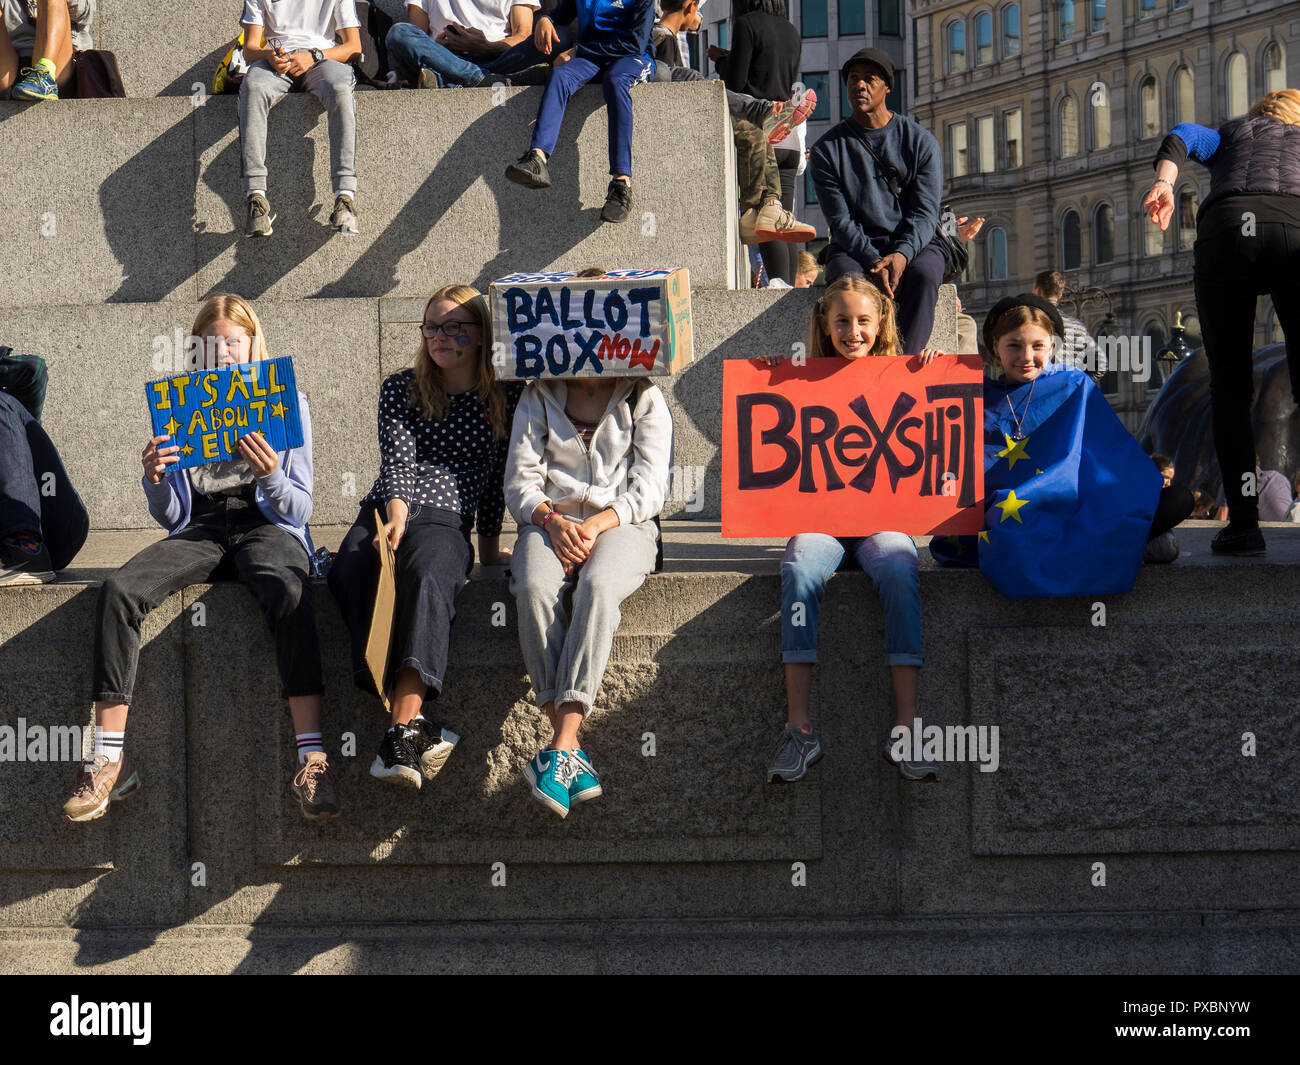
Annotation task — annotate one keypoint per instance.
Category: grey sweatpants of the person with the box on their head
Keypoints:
(566, 651)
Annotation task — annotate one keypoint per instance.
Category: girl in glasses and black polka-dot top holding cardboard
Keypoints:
(443, 454)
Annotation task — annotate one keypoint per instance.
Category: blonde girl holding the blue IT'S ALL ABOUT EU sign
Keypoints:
(248, 517)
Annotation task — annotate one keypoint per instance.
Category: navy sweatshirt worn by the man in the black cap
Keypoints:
(863, 214)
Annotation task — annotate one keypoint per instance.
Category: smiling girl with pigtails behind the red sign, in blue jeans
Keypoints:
(852, 321)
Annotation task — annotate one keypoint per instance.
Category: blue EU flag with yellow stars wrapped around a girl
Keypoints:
(1069, 504)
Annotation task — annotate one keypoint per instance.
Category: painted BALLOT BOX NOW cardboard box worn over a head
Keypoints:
(560, 326)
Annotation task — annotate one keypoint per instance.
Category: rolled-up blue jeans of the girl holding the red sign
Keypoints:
(889, 559)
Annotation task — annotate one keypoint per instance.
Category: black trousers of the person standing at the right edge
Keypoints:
(1232, 271)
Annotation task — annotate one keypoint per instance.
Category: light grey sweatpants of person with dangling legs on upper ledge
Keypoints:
(331, 83)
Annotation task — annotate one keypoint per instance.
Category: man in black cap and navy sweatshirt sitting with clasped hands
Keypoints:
(879, 179)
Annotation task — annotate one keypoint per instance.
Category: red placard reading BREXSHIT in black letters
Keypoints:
(853, 447)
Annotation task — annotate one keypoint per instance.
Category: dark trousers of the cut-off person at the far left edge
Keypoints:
(36, 492)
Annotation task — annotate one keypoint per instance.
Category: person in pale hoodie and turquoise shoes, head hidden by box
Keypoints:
(586, 478)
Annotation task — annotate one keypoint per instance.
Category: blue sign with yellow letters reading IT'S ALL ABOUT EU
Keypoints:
(207, 412)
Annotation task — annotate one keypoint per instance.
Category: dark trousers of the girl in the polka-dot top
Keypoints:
(434, 561)
